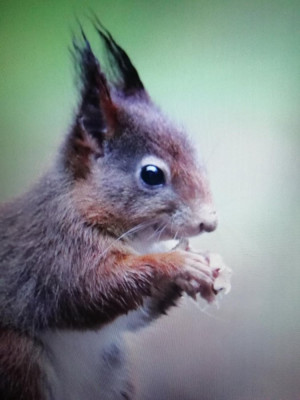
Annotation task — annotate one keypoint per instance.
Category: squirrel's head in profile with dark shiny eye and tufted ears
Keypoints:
(130, 168)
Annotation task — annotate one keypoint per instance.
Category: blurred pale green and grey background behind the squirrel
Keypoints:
(229, 72)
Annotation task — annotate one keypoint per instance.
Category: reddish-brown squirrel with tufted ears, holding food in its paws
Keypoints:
(77, 250)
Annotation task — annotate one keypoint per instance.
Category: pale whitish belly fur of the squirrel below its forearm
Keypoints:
(88, 365)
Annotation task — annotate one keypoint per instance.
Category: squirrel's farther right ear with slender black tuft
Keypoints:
(128, 80)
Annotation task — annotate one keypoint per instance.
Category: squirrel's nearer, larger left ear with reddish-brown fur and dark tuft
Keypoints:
(96, 117)
